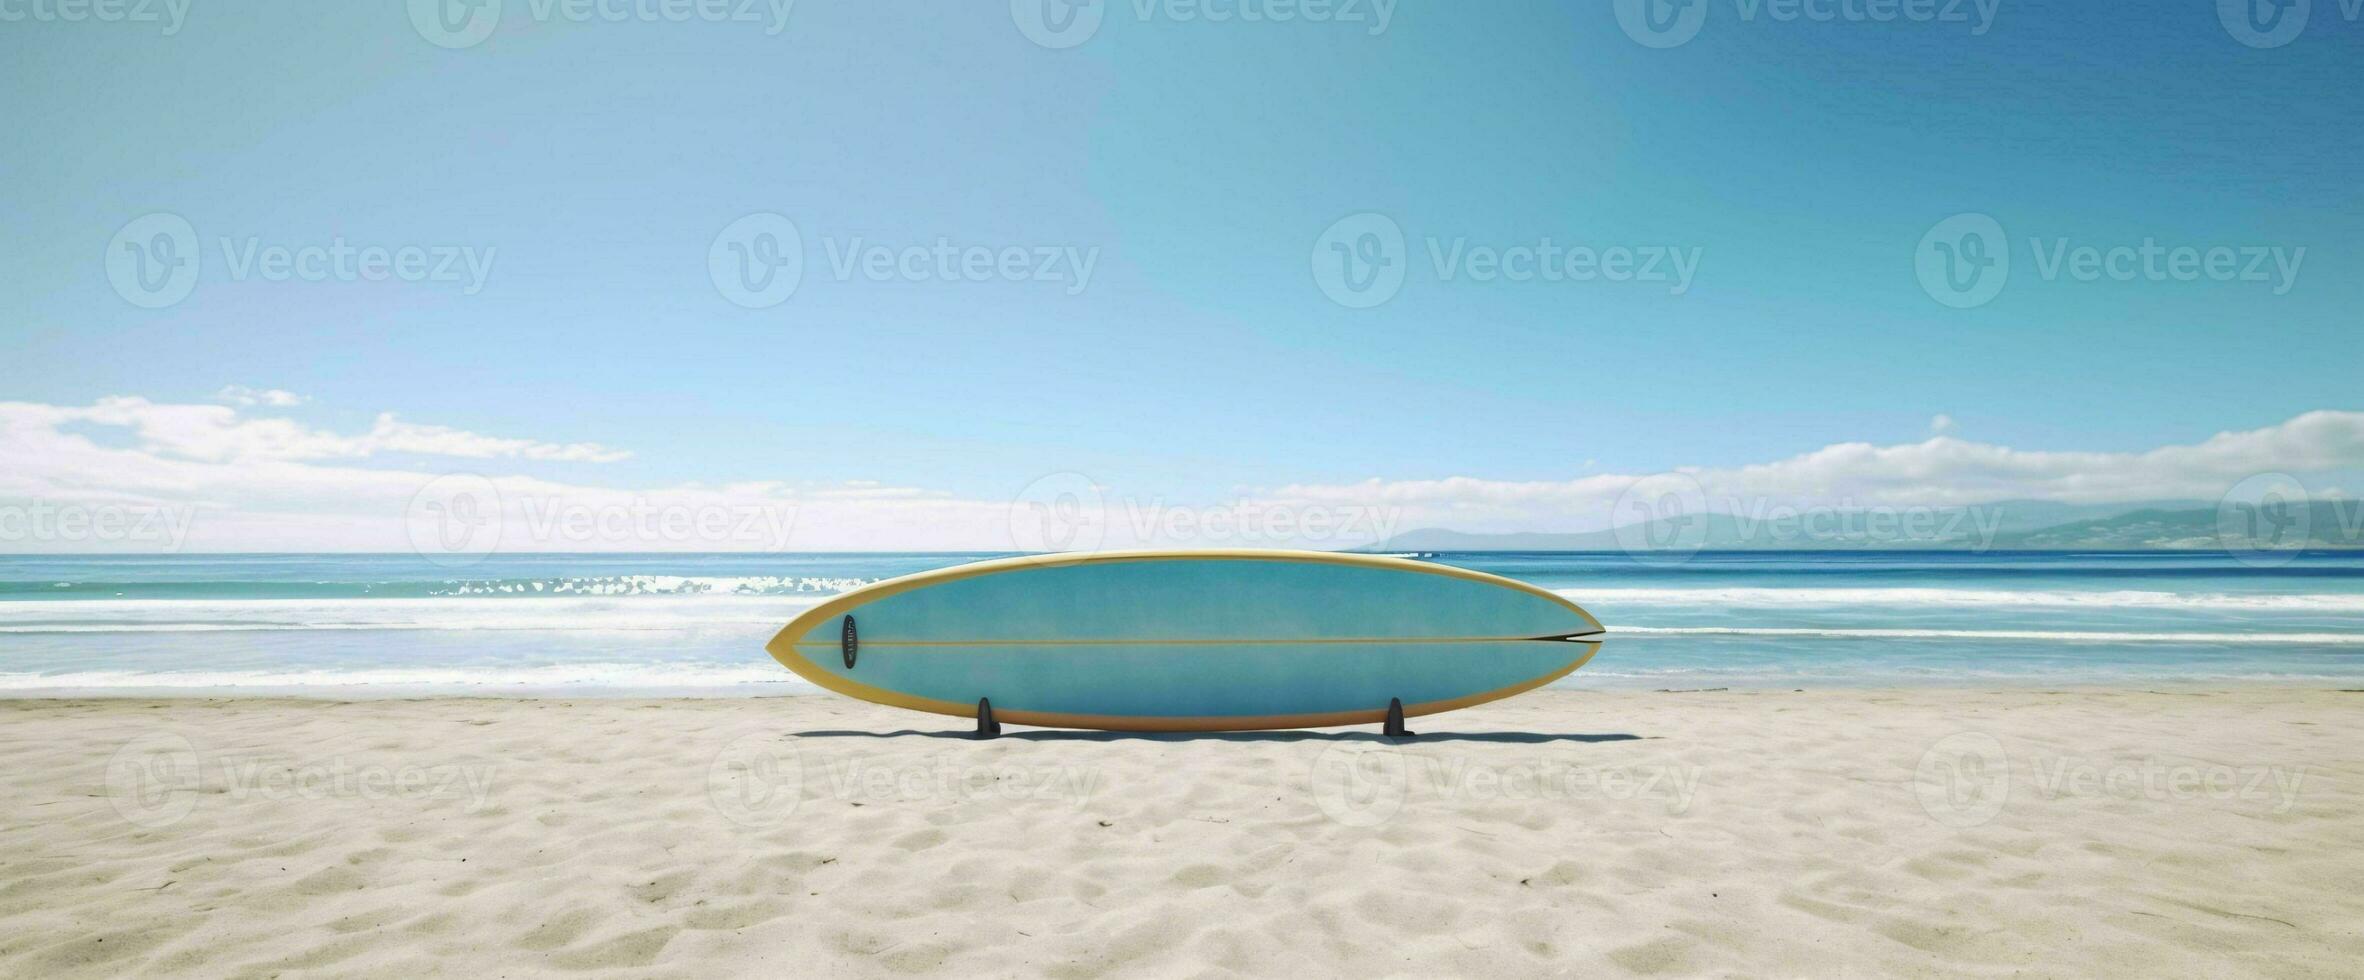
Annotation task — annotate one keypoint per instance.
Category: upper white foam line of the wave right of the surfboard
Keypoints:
(1781, 599)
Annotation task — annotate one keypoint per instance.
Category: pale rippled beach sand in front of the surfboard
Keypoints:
(1717, 832)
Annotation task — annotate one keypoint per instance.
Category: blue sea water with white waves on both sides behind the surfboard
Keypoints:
(696, 625)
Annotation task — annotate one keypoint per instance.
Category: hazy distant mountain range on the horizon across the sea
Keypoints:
(2020, 525)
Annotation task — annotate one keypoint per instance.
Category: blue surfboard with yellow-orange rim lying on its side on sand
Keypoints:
(1195, 641)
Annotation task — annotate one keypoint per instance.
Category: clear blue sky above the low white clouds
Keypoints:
(1200, 164)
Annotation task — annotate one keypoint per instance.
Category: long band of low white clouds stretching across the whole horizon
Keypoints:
(238, 483)
